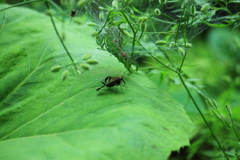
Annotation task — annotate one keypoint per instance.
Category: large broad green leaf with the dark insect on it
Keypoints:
(44, 117)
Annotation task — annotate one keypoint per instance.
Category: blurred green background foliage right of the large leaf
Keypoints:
(216, 60)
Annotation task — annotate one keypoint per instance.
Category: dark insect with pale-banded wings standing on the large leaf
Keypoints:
(112, 81)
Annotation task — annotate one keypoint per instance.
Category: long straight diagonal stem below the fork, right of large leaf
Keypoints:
(200, 112)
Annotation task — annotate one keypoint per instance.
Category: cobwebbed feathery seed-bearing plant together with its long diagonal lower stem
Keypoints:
(164, 37)
